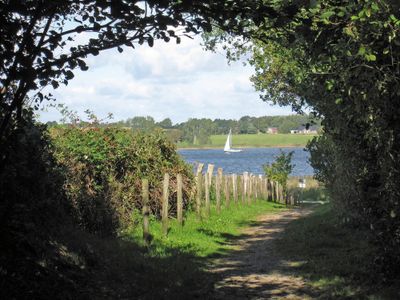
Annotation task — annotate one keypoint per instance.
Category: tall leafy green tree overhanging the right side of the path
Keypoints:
(342, 60)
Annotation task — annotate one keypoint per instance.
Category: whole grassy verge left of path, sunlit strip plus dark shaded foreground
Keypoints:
(173, 267)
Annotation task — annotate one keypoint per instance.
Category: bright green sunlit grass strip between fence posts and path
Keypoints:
(204, 238)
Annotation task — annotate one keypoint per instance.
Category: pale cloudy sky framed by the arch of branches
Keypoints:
(166, 81)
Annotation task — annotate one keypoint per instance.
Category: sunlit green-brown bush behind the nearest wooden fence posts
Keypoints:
(104, 168)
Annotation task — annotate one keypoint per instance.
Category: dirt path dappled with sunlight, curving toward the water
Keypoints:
(255, 270)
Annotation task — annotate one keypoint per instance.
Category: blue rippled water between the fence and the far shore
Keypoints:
(250, 160)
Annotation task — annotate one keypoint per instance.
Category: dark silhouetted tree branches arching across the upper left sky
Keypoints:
(44, 42)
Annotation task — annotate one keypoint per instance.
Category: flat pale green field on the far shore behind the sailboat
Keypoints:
(256, 140)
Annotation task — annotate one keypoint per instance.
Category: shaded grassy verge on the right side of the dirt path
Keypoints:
(335, 259)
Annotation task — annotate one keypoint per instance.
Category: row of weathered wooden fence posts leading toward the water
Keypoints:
(228, 190)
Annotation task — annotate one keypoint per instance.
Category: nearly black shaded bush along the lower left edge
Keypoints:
(32, 212)
